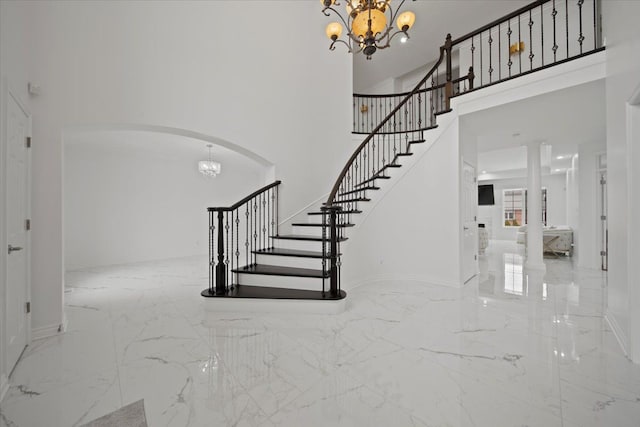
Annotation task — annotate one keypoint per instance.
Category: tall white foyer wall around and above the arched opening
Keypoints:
(220, 68)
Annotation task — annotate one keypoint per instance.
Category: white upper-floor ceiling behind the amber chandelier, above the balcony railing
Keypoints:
(434, 19)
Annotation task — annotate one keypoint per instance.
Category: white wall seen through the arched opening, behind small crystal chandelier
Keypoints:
(135, 196)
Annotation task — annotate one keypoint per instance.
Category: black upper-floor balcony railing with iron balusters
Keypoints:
(539, 35)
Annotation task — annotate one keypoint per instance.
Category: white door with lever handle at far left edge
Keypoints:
(17, 252)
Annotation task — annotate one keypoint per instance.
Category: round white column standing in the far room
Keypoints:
(534, 208)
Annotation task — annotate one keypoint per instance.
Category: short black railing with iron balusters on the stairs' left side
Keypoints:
(233, 230)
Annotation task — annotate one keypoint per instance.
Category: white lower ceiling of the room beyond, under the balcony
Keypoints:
(561, 120)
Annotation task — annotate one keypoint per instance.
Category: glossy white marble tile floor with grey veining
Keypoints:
(510, 348)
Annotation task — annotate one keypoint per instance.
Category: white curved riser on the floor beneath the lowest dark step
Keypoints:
(271, 306)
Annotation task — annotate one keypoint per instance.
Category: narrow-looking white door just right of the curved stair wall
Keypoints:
(469, 223)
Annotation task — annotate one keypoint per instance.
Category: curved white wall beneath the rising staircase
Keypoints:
(413, 231)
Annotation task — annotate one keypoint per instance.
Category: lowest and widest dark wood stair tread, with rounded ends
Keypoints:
(267, 292)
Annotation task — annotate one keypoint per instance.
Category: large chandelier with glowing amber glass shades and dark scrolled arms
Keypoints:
(367, 24)
